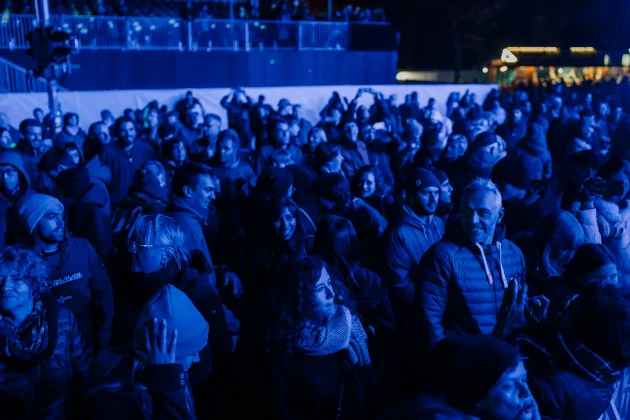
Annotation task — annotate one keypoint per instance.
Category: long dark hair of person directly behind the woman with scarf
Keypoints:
(337, 244)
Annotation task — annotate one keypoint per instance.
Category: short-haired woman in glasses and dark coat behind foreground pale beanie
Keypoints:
(159, 257)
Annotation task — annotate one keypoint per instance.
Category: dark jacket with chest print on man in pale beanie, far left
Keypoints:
(78, 279)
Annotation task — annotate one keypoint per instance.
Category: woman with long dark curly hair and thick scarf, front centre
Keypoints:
(320, 365)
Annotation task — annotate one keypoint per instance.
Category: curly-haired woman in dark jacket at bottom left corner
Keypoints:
(42, 367)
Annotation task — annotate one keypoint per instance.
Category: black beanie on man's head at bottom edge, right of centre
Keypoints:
(469, 366)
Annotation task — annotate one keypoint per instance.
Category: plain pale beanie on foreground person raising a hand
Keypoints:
(180, 313)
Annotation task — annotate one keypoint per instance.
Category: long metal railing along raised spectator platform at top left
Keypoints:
(143, 33)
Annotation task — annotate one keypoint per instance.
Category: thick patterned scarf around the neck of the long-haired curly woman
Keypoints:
(342, 331)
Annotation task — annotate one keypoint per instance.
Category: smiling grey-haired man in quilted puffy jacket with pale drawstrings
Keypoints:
(465, 275)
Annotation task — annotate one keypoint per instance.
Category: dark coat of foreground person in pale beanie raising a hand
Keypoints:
(159, 393)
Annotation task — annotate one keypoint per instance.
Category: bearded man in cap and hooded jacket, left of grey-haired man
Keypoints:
(414, 232)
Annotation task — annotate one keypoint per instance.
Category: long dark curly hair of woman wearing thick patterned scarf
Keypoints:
(293, 303)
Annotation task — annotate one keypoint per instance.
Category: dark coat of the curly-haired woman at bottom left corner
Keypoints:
(48, 384)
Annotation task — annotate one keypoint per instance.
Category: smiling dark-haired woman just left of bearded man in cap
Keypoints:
(369, 185)
